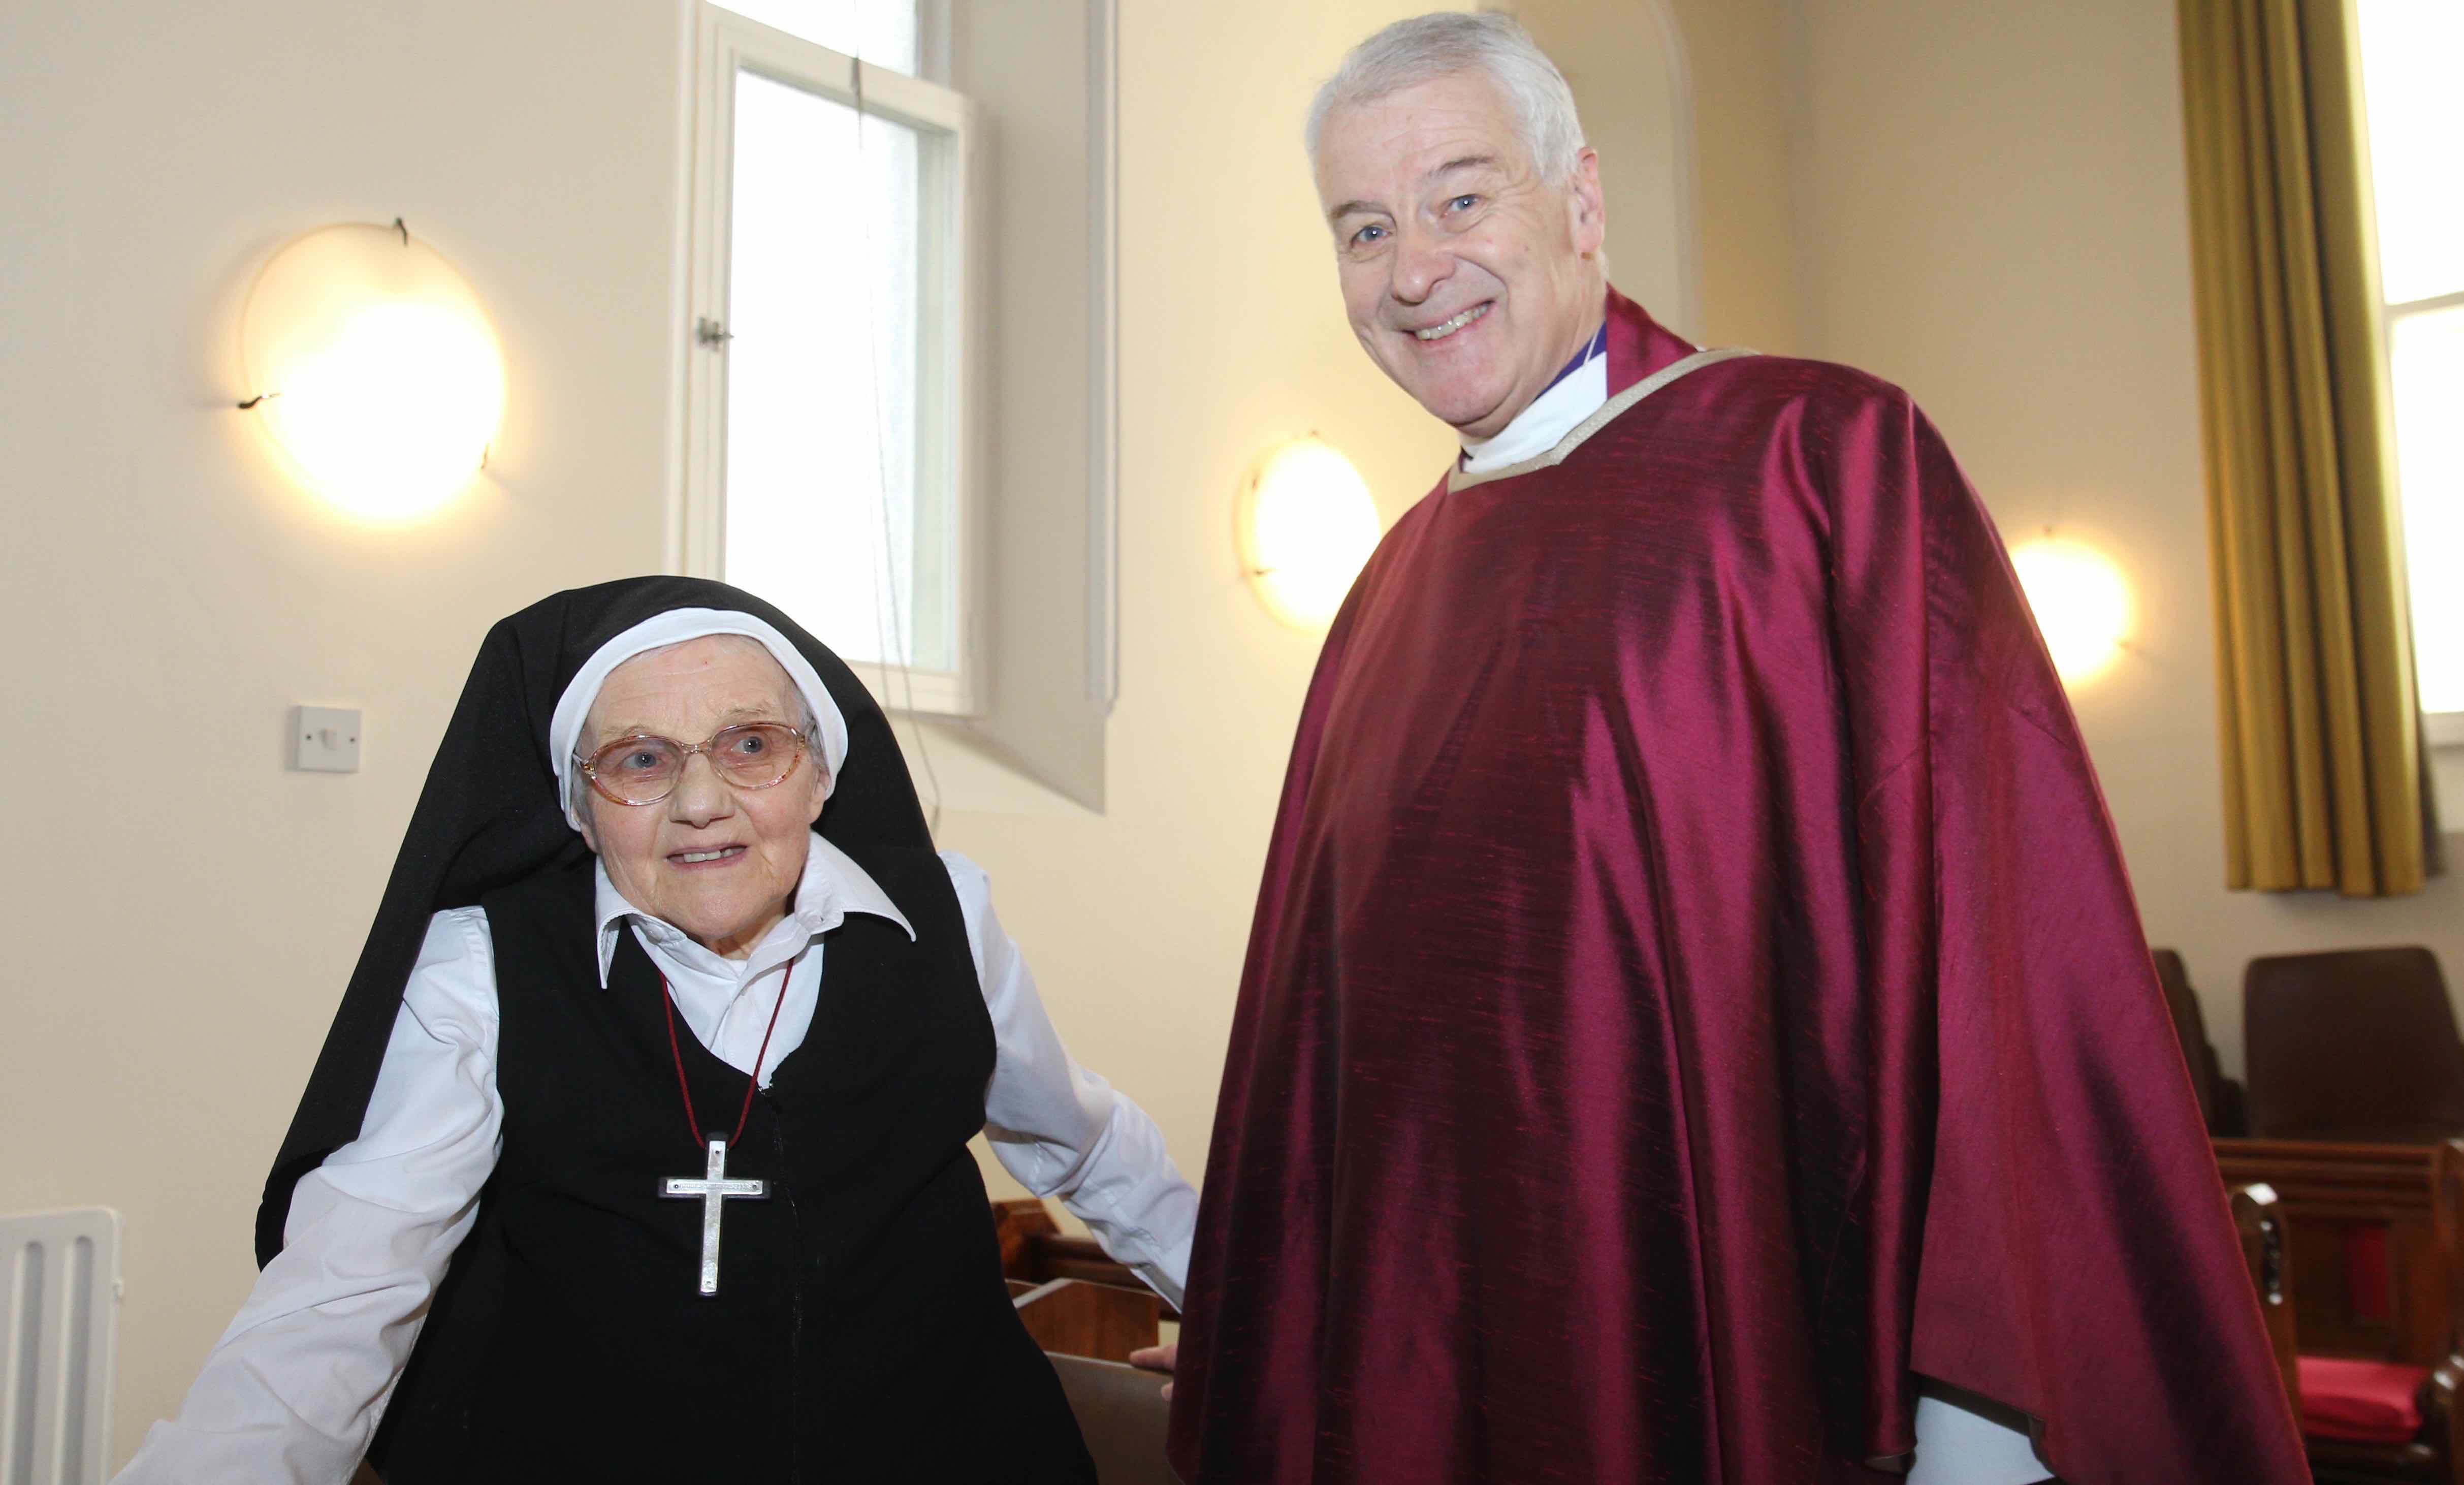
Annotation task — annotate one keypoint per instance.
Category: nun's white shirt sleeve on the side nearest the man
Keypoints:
(1066, 1132)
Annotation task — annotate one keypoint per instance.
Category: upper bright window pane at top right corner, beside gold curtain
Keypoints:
(2411, 55)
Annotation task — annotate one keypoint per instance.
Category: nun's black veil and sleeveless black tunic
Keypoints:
(864, 1331)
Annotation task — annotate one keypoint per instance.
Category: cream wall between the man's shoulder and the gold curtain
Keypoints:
(1997, 220)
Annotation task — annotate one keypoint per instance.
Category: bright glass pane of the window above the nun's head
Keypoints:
(824, 506)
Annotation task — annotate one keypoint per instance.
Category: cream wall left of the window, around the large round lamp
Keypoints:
(181, 910)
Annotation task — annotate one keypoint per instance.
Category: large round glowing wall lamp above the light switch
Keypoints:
(373, 368)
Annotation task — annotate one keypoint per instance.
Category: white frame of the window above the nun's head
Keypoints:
(950, 307)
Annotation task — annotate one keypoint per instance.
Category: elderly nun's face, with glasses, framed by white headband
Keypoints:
(716, 861)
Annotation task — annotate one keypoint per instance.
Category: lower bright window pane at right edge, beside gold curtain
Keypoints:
(2428, 353)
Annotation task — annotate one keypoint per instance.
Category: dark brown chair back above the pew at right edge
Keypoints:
(2352, 1045)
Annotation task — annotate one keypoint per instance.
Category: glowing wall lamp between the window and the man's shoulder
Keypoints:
(1307, 523)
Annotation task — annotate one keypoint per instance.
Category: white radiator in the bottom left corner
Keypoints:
(60, 1294)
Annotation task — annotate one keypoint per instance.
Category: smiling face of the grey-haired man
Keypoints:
(1465, 275)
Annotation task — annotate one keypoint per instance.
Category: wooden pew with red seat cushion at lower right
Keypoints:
(2374, 1348)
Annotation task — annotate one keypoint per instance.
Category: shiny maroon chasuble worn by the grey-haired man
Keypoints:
(1694, 989)
